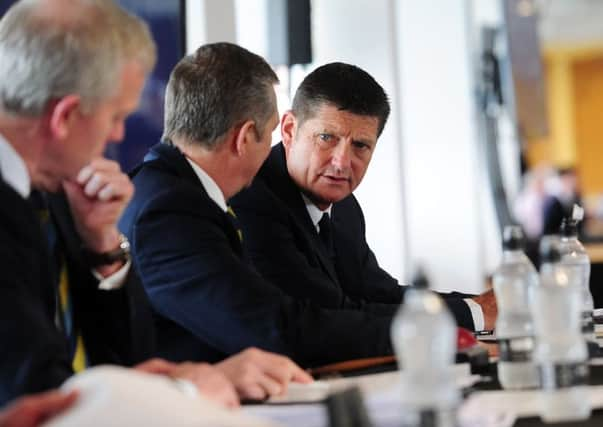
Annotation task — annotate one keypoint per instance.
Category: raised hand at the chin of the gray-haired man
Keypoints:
(97, 199)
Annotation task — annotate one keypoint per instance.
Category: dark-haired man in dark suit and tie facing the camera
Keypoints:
(303, 227)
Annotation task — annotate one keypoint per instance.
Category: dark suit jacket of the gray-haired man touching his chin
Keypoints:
(114, 324)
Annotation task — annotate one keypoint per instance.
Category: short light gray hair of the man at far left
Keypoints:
(47, 52)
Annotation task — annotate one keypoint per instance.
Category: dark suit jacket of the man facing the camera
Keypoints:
(286, 249)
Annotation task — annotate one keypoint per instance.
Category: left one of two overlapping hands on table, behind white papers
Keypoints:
(210, 382)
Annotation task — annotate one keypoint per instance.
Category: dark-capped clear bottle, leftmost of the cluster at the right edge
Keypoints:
(514, 282)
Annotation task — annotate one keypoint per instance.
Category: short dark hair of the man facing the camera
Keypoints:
(345, 86)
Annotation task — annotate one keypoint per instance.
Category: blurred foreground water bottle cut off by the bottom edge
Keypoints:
(424, 338)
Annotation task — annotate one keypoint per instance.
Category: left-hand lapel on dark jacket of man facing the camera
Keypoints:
(283, 185)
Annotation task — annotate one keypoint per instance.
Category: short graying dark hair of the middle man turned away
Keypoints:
(216, 88)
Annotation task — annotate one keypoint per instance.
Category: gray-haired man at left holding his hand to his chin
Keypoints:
(68, 297)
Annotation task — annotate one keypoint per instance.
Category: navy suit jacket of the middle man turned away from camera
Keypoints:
(209, 302)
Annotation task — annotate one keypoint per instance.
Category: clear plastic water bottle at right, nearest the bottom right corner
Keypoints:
(560, 353)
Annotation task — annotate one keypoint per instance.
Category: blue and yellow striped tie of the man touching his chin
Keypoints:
(64, 318)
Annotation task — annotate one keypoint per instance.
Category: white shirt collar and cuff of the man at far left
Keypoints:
(15, 174)
